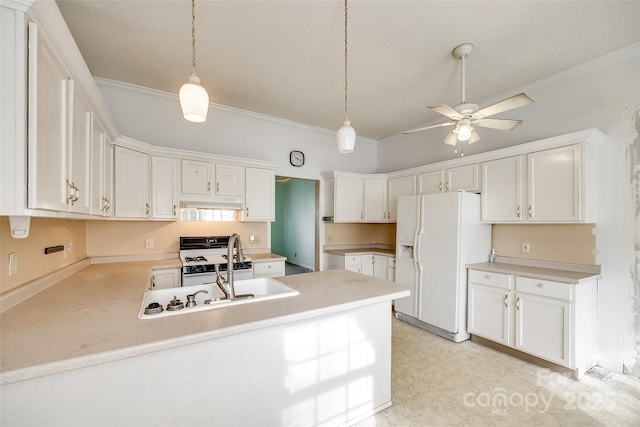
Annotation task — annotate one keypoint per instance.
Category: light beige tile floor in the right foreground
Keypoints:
(436, 382)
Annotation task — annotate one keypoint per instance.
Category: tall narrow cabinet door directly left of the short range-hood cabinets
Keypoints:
(164, 187)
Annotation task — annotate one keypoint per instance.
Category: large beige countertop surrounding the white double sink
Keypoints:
(91, 318)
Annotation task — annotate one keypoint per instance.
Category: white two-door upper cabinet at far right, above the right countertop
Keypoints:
(548, 186)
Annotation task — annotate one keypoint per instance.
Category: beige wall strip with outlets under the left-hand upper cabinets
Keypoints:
(32, 262)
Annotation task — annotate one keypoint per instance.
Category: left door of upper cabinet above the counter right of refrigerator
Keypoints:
(502, 190)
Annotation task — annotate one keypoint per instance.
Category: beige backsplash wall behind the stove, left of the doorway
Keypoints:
(114, 238)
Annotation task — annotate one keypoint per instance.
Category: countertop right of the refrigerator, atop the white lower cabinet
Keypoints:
(554, 274)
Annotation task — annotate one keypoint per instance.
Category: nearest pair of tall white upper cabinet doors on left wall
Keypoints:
(60, 132)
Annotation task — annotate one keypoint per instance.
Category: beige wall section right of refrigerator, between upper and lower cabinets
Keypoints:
(574, 243)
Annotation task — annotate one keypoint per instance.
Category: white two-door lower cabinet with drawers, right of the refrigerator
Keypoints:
(551, 320)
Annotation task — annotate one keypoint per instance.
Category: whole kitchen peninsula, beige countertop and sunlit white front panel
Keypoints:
(322, 357)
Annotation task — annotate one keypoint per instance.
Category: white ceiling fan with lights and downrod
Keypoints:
(466, 116)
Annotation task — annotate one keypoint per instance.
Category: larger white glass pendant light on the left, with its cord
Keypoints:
(194, 99)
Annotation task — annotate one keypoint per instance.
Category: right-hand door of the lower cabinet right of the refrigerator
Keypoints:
(543, 327)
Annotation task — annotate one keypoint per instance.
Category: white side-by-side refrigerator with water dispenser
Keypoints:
(437, 235)
